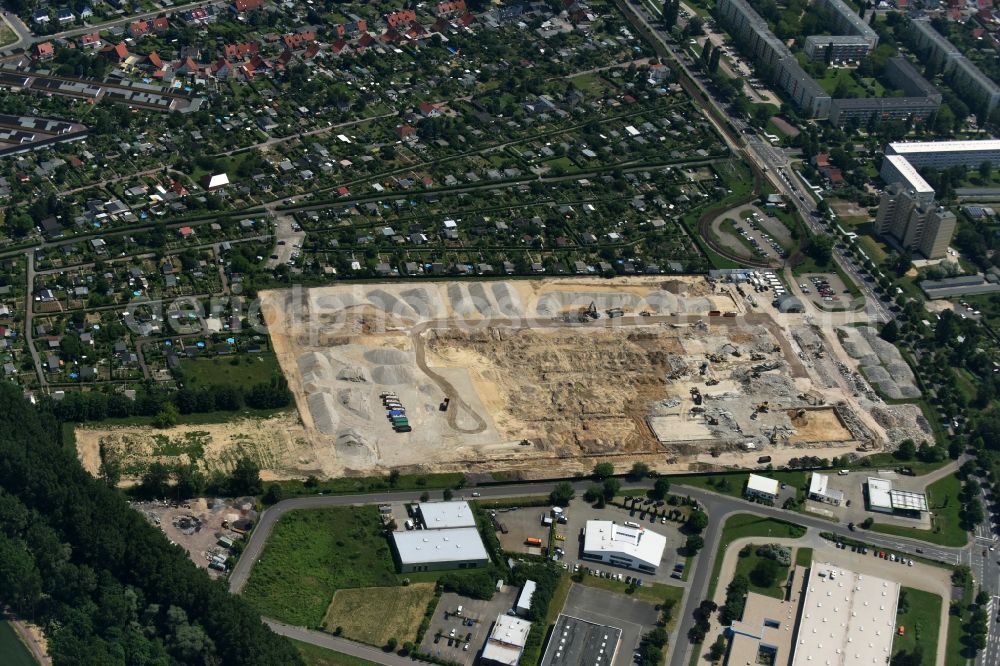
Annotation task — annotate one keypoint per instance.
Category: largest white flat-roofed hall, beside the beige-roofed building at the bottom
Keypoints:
(847, 619)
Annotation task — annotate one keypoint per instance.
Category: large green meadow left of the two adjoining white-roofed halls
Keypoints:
(311, 554)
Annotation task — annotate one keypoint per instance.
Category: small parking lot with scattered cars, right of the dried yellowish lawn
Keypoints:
(447, 627)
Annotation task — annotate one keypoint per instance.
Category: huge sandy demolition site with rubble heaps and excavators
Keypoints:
(504, 374)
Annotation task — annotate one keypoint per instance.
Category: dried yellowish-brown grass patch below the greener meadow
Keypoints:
(373, 615)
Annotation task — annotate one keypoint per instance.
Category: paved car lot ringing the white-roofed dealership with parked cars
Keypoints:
(579, 512)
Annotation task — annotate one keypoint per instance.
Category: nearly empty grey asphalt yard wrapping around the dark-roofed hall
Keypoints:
(633, 617)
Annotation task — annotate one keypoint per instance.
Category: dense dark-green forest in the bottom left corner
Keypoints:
(107, 587)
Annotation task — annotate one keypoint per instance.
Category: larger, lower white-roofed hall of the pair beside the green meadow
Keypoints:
(437, 550)
